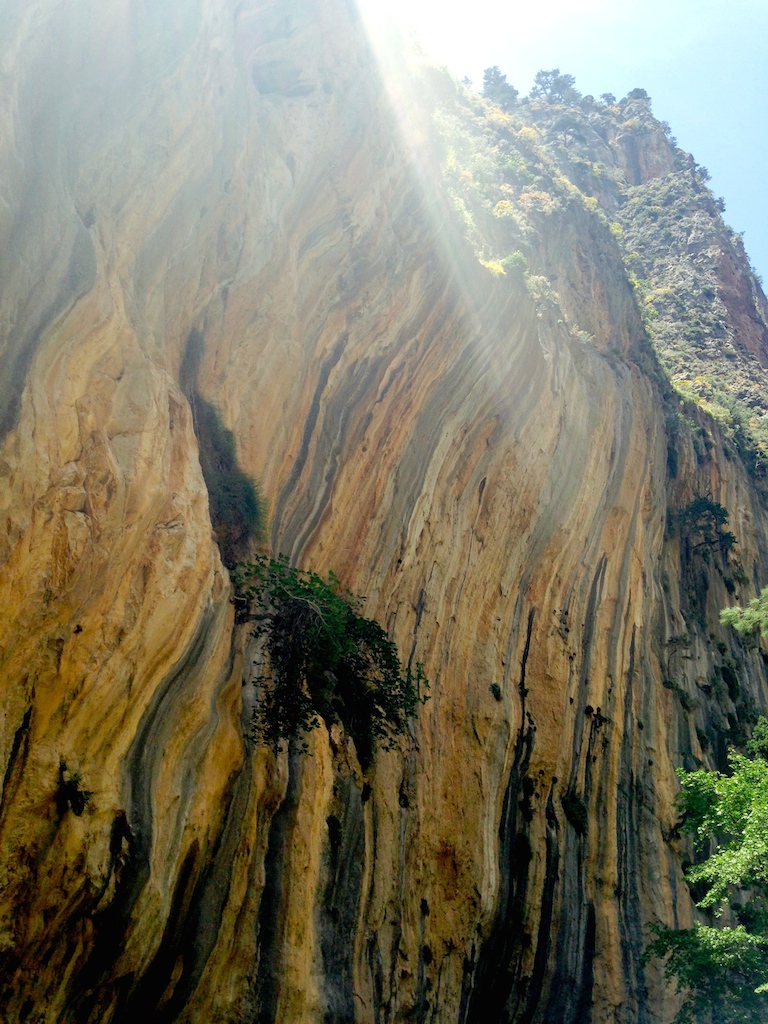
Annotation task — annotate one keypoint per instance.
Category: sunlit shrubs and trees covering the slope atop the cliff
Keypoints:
(511, 165)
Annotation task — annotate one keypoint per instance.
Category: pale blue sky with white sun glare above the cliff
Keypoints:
(704, 63)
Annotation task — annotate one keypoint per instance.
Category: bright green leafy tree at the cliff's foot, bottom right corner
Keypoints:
(724, 971)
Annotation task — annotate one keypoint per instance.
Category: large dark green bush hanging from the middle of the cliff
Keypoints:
(327, 662)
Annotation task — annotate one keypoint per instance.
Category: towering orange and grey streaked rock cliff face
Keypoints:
(493, 459)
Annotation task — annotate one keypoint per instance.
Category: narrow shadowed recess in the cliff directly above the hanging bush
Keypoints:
(238, 511)
